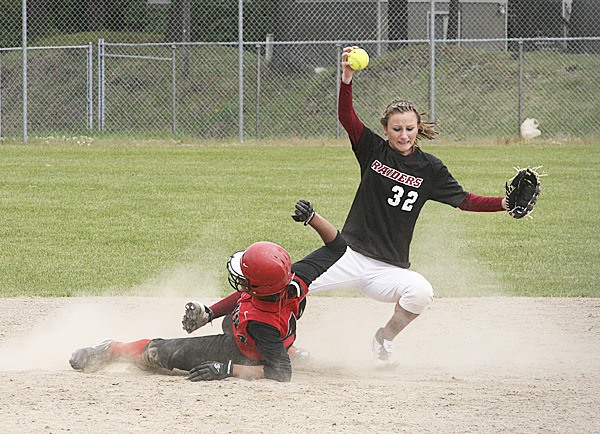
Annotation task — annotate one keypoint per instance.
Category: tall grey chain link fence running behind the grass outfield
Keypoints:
(268, 69)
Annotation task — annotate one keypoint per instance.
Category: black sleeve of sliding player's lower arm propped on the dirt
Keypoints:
(277, 364)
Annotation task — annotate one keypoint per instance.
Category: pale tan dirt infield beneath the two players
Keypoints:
(491, 364)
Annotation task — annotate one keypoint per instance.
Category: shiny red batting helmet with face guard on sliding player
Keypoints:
(262, 269)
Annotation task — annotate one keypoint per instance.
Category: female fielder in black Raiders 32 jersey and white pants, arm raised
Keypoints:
(397, 178)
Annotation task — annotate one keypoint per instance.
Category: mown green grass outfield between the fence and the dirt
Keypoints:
(113, 219)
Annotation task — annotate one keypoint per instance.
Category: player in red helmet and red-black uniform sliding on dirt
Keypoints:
(269, 298)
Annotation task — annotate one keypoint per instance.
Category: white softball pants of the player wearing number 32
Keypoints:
(378, 280)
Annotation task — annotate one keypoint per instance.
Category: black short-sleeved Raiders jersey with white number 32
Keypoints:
(390, 196)
